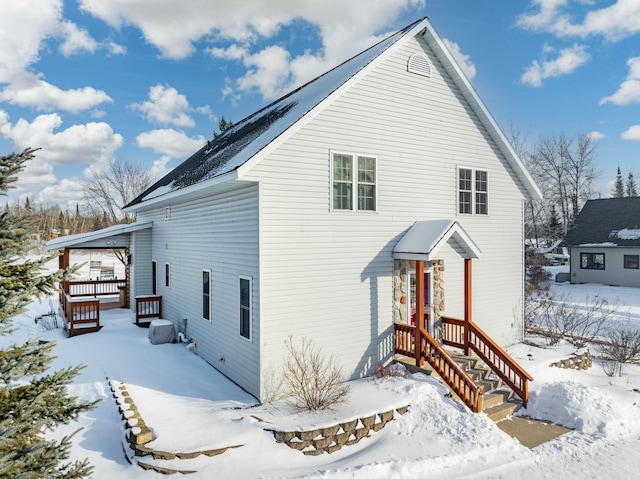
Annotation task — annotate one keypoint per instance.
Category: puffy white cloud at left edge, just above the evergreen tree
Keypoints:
(92, 143)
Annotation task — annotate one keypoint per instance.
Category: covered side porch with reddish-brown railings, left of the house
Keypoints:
(106, 286)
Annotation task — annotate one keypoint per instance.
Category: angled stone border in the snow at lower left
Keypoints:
(138, 434)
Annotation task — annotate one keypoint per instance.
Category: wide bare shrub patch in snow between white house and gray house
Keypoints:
(557, 317)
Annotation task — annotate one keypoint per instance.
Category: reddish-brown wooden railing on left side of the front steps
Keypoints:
(430, 351)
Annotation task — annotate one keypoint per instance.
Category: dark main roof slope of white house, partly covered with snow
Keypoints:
(245, 139)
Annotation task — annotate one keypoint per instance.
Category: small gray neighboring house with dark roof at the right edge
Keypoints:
(605, 243)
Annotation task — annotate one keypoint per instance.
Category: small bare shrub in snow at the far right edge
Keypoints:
(622, 346)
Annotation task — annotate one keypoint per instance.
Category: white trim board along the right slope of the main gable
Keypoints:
(485, 116)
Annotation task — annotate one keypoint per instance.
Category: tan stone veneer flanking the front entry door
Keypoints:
(400, 284)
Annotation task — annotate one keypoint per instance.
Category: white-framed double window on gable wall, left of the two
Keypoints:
(353, 182)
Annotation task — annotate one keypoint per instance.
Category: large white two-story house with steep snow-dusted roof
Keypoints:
(310, 218)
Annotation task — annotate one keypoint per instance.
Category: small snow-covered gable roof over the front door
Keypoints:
(425, 238)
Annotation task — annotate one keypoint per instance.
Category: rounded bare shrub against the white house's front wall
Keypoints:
(313, 380)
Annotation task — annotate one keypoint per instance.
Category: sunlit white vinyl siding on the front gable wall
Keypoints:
(329, 277)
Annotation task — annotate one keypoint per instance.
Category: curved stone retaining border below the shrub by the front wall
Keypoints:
(333, 438)
